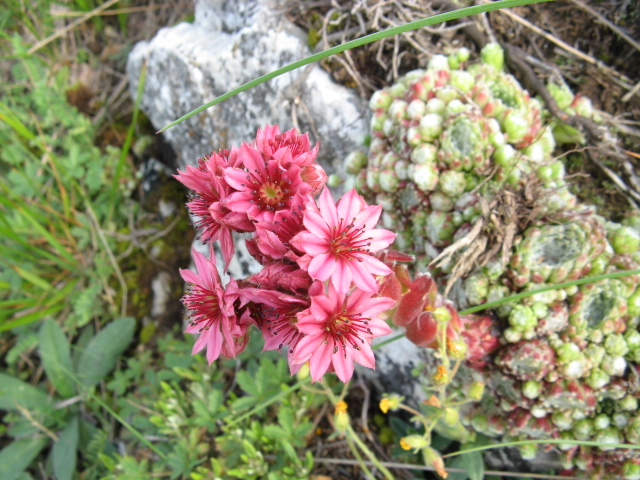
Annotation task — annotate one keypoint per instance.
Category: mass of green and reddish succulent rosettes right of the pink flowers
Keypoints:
(443, 141)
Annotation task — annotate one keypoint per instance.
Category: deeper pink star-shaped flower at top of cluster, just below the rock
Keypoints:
(263, 187)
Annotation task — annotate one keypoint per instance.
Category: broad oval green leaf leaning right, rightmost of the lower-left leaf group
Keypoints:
(102, 352)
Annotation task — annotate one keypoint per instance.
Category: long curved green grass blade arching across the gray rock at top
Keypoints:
(358, 42)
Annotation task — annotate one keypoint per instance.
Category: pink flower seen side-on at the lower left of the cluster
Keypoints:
(212, 312)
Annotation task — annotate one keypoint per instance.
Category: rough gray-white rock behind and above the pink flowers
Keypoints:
(229, 44)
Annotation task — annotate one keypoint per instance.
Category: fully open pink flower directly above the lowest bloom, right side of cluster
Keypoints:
(340, 242)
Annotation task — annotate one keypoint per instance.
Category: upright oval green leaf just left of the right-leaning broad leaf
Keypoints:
(56, 358)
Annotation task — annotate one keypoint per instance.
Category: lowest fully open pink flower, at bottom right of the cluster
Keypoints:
(339, 330)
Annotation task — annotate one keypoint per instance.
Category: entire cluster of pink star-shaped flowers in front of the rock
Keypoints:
(320, 292)
